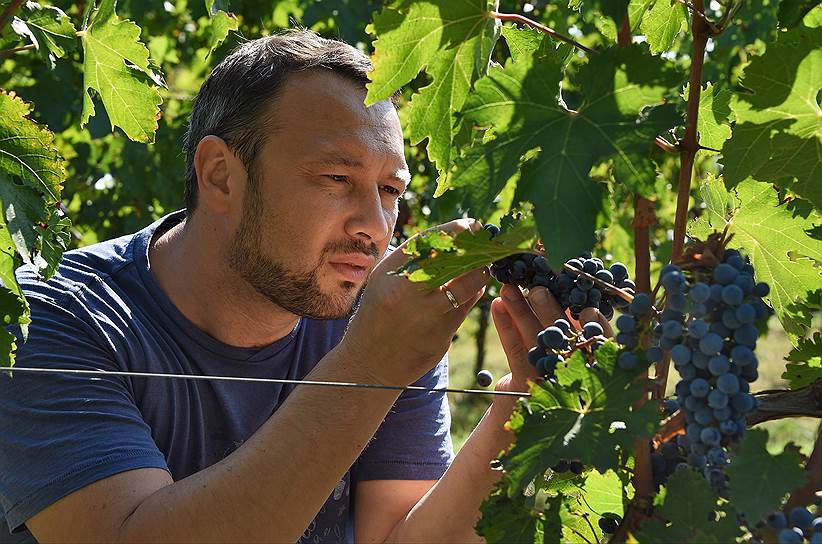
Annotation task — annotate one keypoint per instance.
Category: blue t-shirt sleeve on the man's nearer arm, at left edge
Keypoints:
(61, 432)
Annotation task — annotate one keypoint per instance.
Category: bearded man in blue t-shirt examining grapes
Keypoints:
(291, 190)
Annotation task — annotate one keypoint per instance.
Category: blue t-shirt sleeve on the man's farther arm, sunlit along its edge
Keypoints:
(414, 440)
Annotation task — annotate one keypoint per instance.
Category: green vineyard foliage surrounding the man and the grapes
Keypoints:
(560, 135)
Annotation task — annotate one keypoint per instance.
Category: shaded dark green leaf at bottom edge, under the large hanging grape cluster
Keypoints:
(688, 518)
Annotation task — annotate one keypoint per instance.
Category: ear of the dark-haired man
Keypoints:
(218, 170)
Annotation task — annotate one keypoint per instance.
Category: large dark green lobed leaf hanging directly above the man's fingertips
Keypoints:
(559, 146)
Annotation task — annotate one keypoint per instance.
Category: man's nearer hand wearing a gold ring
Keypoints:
(402, 329)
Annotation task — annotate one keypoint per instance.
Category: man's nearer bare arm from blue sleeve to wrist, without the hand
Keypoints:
(269, 489)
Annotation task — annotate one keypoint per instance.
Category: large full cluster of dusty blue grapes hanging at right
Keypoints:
(712, 348)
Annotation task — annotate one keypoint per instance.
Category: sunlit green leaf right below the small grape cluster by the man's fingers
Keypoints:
(587, 415)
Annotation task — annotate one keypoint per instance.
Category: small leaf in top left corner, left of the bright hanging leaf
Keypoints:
(48, 28)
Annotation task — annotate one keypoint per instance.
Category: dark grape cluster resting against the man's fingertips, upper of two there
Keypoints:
(572, 290)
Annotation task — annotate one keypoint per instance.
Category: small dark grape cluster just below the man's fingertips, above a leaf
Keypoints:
(557, 342)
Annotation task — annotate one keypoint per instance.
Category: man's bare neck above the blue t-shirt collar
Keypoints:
(190, 267)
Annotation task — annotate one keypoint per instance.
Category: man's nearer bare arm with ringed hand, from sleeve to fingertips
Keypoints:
(271, 487)
